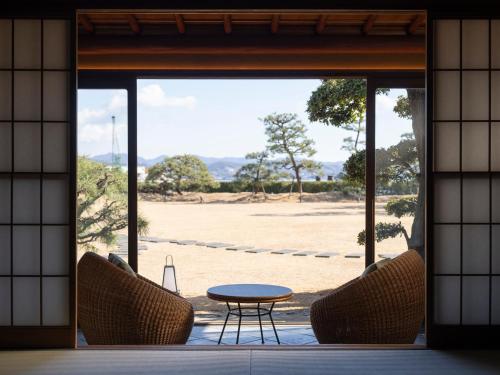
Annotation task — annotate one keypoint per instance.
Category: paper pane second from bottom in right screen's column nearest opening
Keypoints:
(447, 249)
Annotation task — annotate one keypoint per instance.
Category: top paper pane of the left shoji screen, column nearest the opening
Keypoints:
(55, 44)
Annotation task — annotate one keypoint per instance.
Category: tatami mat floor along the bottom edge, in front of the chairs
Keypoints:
(248, 361)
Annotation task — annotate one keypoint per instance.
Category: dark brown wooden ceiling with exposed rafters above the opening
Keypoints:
(252, 40)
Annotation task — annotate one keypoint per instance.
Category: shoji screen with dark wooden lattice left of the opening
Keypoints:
(36, 120)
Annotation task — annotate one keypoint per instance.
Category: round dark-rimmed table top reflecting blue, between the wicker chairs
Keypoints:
(249, 293)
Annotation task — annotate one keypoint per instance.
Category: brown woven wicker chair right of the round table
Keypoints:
(385, 307)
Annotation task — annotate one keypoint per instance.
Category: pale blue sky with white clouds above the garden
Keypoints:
(214, 117)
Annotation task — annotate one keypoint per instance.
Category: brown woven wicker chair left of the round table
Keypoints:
(116, 308)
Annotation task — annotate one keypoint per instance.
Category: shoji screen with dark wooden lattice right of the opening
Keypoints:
(465, 216)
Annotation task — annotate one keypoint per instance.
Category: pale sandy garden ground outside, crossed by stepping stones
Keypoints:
(320, 223)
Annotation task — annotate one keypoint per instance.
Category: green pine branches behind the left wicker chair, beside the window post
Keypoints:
(102, 207)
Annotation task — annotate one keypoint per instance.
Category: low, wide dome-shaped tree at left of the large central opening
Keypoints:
(181, 173)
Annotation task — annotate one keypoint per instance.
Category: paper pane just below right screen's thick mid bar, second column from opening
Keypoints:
(476, 200)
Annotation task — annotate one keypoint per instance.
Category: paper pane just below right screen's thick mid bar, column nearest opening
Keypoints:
(447, 200)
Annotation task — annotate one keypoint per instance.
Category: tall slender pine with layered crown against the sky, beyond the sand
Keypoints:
(286, 135)
